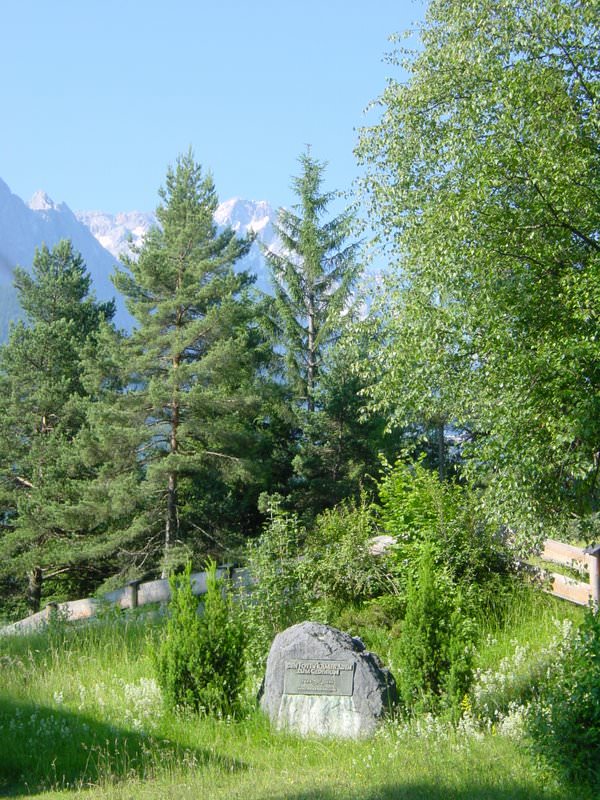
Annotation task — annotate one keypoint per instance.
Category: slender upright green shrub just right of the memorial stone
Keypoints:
(436, 644)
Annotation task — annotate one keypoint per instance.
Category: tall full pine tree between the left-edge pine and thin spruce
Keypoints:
(186, 400)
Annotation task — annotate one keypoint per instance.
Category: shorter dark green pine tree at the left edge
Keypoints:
(42, 401)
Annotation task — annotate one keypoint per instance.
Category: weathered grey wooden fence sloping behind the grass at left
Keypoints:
(134, 594)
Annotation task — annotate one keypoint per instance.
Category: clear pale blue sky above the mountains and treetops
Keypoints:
(98, 97)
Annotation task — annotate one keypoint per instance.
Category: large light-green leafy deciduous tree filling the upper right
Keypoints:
(482, 177)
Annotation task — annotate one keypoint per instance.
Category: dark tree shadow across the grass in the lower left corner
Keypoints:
(45, 748)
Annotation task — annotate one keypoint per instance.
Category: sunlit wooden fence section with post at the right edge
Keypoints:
(585, 561)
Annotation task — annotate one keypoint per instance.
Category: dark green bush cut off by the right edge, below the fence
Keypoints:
(563, 723)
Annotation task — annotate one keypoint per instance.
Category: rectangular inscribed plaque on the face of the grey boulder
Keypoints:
(319, 677)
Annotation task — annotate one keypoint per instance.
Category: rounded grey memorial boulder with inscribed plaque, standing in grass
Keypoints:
(324, 682)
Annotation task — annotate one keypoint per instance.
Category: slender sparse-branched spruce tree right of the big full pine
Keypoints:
(313, 272)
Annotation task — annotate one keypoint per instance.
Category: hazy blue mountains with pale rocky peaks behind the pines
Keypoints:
(102, 239)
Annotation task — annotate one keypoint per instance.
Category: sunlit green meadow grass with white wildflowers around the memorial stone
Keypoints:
(80, 714)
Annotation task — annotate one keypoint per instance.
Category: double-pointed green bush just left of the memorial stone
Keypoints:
(200, 662)
